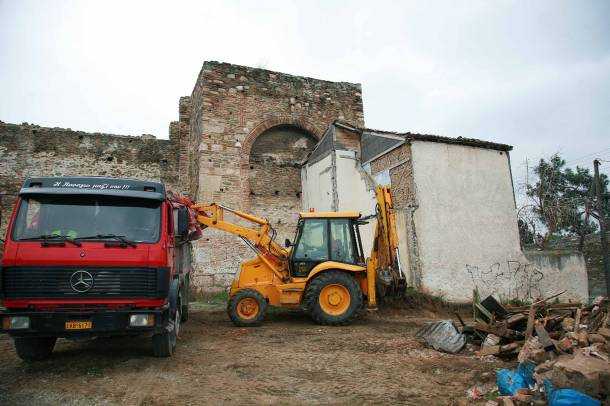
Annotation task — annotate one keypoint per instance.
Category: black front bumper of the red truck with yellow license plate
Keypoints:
(85, 324)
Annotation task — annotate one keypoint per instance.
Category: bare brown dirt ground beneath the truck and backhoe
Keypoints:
(288, 360)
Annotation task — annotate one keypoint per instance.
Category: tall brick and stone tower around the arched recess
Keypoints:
(231, 106)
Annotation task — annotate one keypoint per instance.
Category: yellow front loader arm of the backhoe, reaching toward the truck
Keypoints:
(260, 239)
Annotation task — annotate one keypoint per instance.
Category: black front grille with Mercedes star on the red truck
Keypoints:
(106, 283)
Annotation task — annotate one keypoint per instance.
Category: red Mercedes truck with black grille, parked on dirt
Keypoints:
(87, 257)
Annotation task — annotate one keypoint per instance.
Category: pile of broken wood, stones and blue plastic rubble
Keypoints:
(565, 347)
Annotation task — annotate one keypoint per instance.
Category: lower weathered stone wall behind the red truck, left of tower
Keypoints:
(30, 150)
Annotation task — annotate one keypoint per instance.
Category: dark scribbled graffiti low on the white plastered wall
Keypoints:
(511, 280)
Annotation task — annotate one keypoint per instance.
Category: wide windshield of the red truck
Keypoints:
(138, 220)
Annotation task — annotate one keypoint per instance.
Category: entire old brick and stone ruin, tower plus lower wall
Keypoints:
(240, 140)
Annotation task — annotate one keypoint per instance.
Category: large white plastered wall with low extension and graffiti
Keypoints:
(466, 226)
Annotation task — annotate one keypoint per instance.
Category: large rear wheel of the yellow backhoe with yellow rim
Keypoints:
(334, 298)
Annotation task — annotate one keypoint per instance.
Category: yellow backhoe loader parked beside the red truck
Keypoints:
(324, 271)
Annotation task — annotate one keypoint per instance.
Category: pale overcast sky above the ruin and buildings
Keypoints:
(535, 75)
